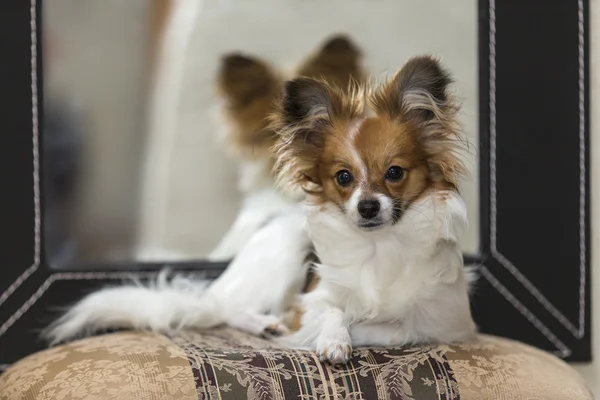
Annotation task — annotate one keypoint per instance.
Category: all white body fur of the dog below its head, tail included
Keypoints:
(401, 284)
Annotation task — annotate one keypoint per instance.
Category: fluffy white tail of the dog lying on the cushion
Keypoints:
(162, 305)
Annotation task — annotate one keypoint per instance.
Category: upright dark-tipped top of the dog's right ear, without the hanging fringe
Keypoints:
(417, 93)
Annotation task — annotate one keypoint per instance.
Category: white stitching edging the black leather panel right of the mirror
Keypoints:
(577, 332)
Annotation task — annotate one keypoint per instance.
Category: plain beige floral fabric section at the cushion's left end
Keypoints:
(140, 366)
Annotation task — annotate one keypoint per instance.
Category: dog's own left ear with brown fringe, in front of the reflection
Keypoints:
(302, 115)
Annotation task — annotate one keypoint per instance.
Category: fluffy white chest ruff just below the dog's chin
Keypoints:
(376, 275)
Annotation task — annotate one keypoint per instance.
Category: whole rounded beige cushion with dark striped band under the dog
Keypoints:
(225, 364)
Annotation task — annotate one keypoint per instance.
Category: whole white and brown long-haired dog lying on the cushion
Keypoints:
(380, 168)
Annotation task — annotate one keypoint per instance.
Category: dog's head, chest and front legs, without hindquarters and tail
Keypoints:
(381, 169)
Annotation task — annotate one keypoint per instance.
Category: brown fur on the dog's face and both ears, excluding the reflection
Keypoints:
(322, 130)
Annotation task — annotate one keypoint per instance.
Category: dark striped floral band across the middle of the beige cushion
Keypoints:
(227, 364)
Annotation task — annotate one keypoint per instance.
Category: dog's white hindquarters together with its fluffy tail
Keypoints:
(260, 283)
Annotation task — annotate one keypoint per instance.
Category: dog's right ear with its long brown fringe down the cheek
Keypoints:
(419, 95)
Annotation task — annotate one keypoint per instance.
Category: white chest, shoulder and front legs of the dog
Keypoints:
(401, 284)
